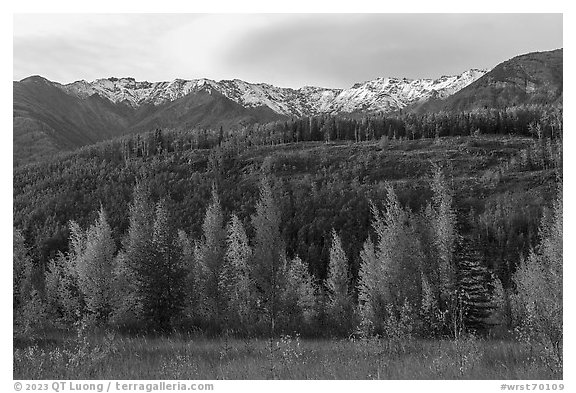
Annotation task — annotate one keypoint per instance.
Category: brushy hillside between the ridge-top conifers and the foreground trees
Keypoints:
(318, 187)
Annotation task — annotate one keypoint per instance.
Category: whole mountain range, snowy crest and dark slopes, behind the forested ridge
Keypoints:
(50, 117)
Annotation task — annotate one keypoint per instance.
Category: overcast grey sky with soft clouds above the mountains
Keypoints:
(290, 50)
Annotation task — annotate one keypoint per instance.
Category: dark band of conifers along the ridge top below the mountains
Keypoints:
(538, 121)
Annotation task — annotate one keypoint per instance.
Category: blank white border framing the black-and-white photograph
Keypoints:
(298, 6)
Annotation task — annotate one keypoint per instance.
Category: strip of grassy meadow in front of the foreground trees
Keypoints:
(115, 357)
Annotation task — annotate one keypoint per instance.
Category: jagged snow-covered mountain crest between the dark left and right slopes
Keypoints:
(378, 95)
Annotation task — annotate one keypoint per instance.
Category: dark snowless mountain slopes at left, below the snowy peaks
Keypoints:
(48, 120)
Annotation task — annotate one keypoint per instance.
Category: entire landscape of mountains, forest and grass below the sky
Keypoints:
(204, 229)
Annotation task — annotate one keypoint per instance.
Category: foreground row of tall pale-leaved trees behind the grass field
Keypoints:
(420, 274)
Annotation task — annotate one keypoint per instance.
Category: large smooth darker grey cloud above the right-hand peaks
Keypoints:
(338, 50)
